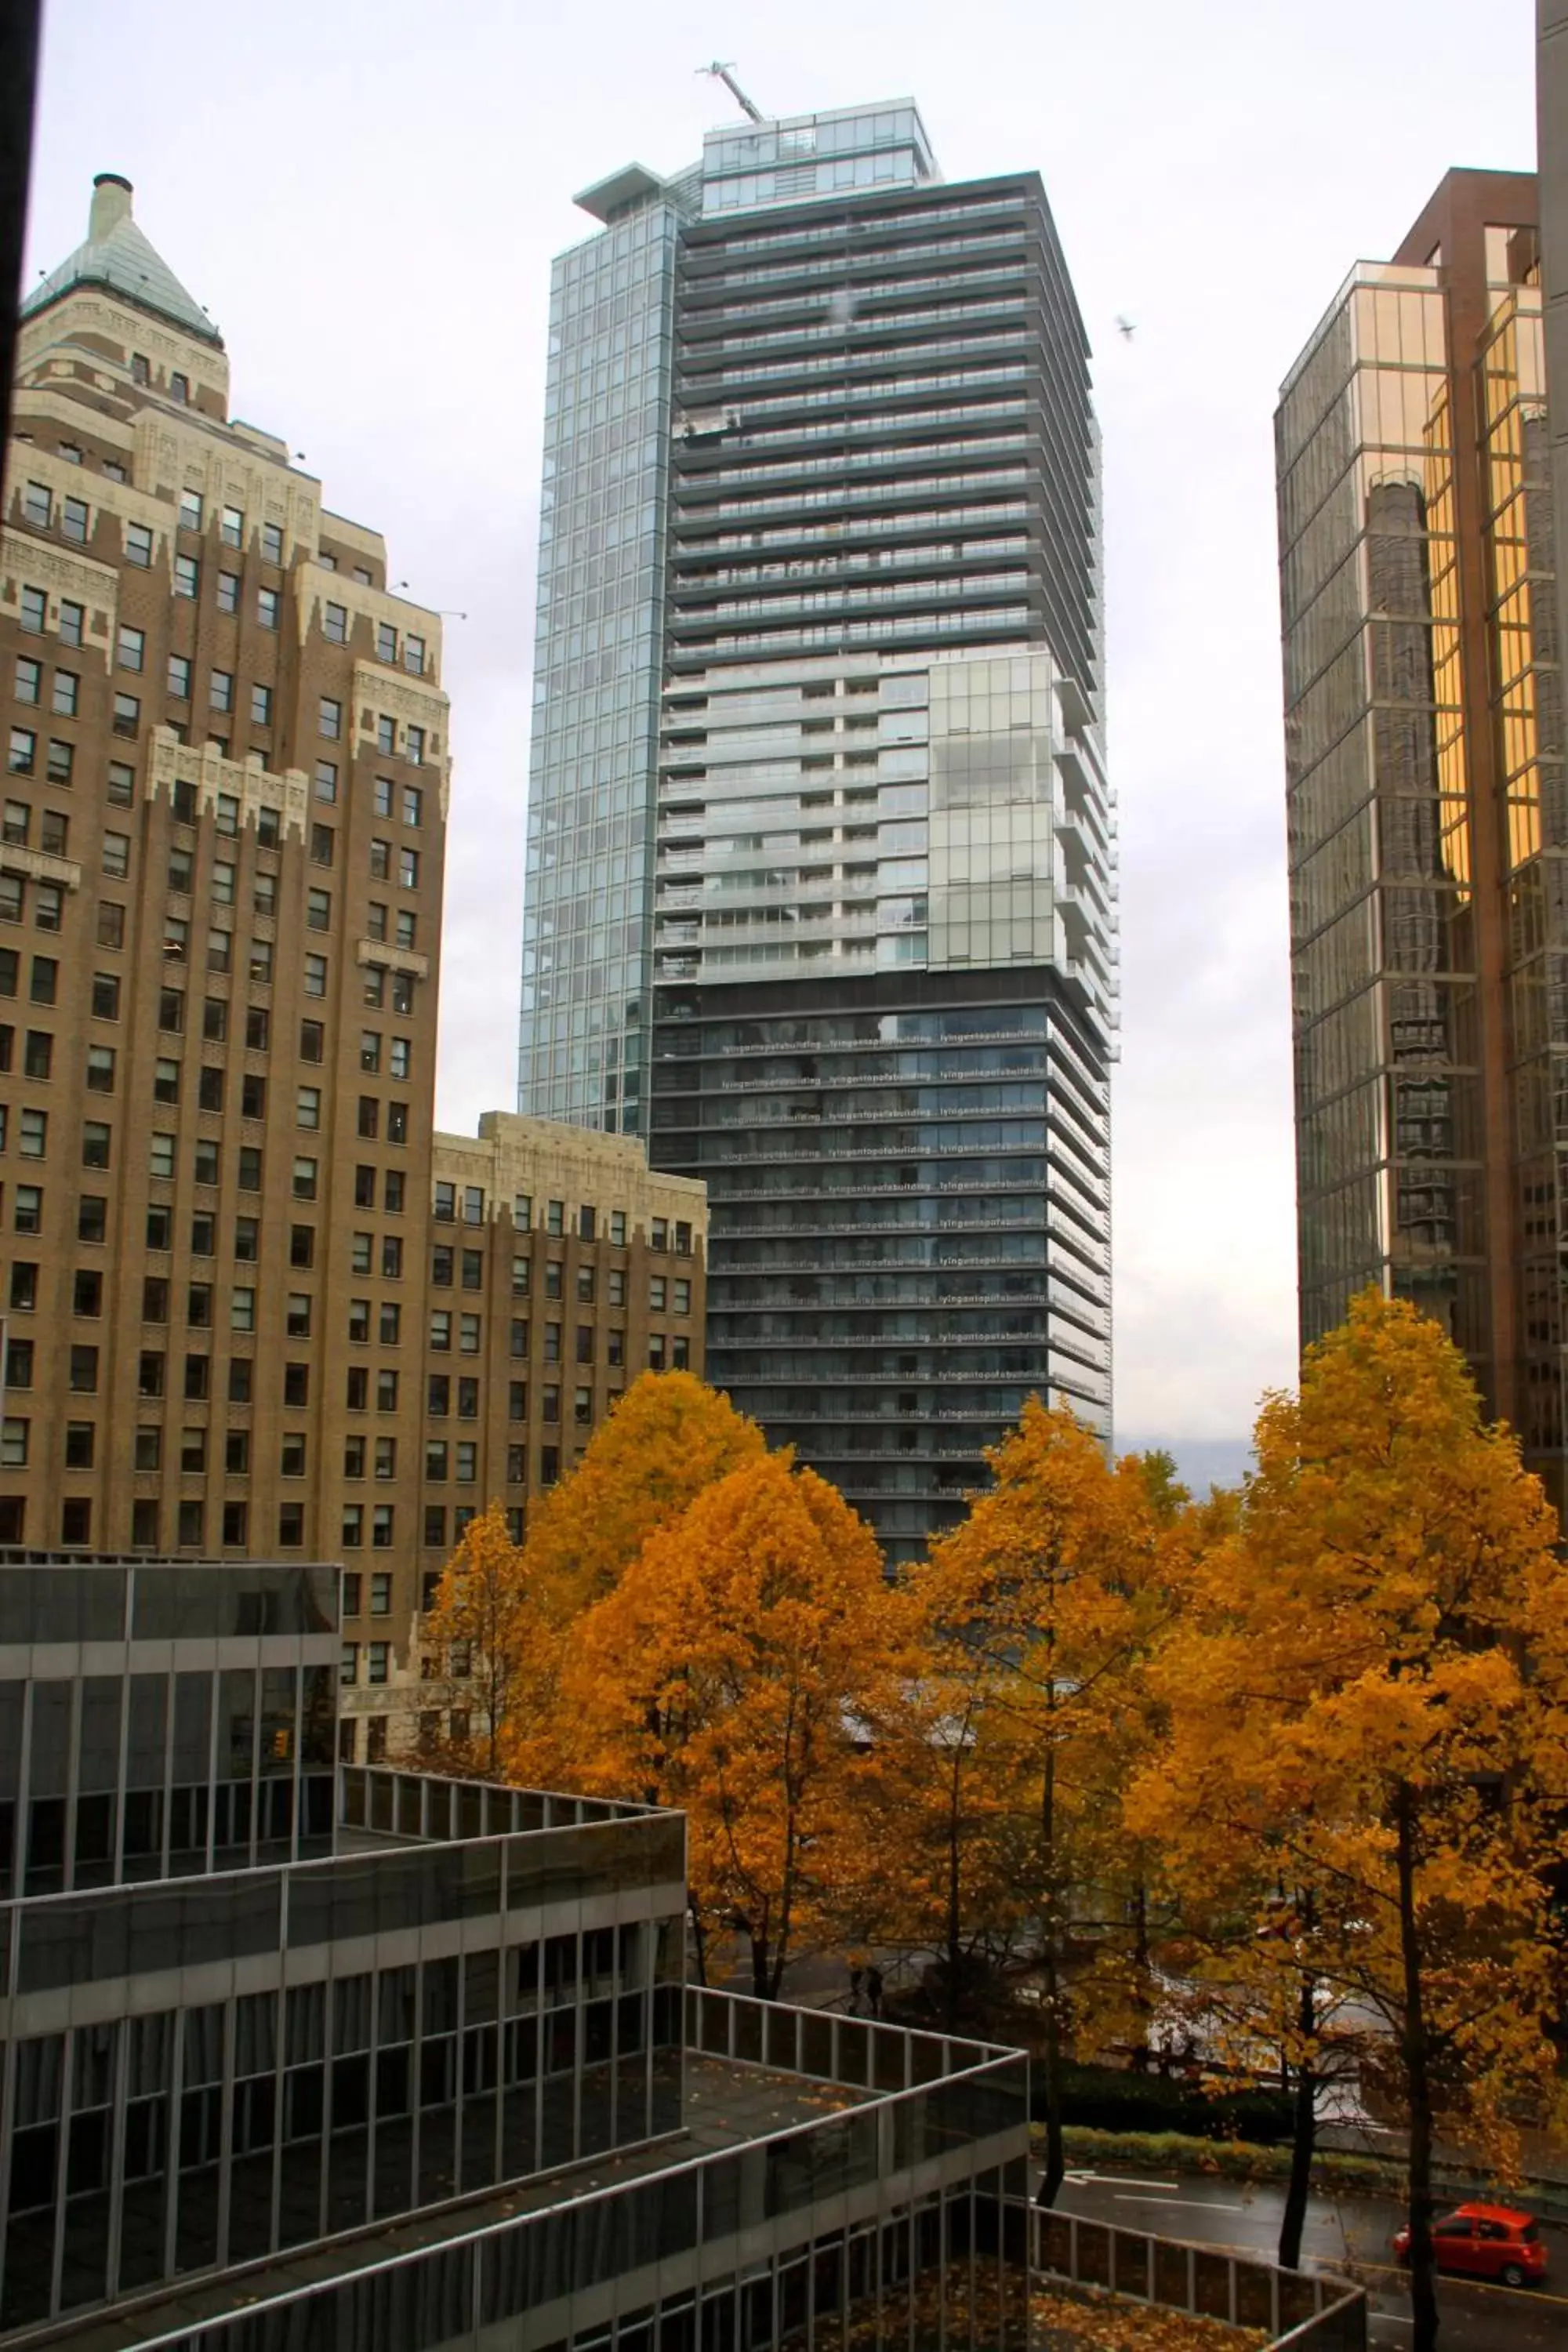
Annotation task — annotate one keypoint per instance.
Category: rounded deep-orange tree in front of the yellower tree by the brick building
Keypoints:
(742, 1671)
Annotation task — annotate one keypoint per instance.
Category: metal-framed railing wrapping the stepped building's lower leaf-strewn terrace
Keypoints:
(925, 2113)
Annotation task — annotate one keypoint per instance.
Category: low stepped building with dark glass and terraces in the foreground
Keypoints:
(333, 2102)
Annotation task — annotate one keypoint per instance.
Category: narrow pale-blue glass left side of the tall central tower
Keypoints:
(598, 664)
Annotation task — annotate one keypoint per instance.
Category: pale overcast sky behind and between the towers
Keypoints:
(368, 196)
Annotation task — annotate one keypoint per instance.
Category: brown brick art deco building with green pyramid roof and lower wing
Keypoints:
(253, 1304)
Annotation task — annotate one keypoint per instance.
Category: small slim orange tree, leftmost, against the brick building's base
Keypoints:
(471, 1638)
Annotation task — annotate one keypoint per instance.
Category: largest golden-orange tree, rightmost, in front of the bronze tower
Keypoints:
(1369, 1718)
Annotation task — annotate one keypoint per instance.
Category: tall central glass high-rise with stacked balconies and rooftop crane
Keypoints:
(819, 838)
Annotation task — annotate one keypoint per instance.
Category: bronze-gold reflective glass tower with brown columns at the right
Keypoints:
(1426, 791)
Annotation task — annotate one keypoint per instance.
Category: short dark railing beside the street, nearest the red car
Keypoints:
(1299, 2308)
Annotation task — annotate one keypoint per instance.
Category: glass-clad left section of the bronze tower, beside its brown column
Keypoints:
(1388, 1107)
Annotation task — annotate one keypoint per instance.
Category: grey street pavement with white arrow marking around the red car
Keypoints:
(1343, 2233)
